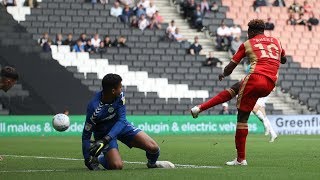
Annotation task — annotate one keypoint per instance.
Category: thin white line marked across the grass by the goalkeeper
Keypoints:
(128, 162)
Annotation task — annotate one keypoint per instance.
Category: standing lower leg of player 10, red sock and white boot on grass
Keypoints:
(240, 139)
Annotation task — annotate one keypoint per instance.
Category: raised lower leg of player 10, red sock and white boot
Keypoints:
(223, 96)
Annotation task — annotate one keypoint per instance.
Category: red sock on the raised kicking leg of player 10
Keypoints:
(222, 97)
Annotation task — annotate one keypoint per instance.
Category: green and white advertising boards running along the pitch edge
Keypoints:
(163, 125)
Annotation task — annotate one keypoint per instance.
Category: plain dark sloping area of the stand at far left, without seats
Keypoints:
(41, 77)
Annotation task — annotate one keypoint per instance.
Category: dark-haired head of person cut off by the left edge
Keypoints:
(8, 78)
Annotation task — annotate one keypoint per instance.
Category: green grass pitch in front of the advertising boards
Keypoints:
(290, 157)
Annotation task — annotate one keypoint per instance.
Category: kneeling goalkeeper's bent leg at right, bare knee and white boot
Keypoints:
(145, 142)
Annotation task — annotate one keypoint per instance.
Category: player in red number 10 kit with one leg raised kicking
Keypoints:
(265, 54)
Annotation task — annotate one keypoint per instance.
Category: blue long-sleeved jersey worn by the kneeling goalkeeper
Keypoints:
(103, 119)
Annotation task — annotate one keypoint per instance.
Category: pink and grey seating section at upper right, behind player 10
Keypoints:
(300, 75)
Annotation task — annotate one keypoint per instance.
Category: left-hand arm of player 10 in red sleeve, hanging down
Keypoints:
(234, 62)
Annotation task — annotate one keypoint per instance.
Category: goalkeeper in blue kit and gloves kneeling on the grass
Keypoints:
(106, 119)
